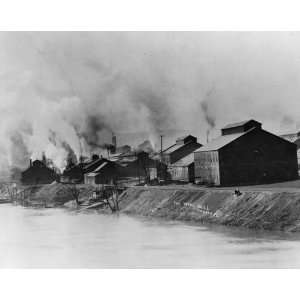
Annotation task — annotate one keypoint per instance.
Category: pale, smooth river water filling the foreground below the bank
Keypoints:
(59, 238)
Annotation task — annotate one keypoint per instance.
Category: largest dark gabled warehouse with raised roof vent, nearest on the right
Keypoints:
(246, 154)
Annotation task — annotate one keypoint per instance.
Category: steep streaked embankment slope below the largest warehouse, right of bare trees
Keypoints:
(253, 209)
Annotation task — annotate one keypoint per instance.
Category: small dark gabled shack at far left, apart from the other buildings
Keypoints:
(38, 173)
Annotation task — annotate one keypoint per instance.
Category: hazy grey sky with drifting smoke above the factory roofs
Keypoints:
(70, 90)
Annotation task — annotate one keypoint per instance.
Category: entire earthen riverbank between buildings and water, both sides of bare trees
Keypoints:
(269, 207)
